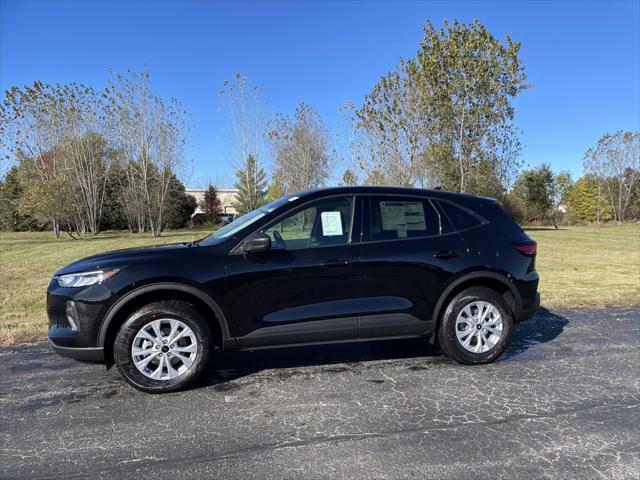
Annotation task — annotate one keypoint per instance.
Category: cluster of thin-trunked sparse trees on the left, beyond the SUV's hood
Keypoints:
(84, 158)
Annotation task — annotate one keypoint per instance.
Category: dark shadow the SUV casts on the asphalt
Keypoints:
(335, 358)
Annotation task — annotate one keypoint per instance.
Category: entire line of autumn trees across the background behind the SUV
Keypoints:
(86, 160)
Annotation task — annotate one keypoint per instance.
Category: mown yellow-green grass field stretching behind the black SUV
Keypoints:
(578, 266)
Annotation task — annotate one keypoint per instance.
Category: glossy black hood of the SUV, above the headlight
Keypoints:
(121, 258)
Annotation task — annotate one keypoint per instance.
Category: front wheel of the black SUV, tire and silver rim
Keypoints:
(179, 362)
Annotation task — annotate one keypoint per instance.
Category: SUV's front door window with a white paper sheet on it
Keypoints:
(327, 222)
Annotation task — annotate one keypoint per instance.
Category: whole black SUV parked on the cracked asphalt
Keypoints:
(337, 264)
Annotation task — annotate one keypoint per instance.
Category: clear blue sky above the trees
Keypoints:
(583, 59)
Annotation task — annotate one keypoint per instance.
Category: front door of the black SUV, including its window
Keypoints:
(302, 289)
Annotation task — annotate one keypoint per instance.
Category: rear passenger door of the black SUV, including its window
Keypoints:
(406, 259)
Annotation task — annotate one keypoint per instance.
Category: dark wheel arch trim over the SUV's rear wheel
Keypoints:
(495, 281)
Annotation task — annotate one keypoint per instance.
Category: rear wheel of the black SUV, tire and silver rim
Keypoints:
(453, 333)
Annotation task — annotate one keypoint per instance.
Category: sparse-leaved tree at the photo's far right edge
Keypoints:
(615, 164)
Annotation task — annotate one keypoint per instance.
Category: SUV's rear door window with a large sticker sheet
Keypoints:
(402, 217)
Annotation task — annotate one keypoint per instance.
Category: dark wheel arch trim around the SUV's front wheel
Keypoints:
(130, 302)
